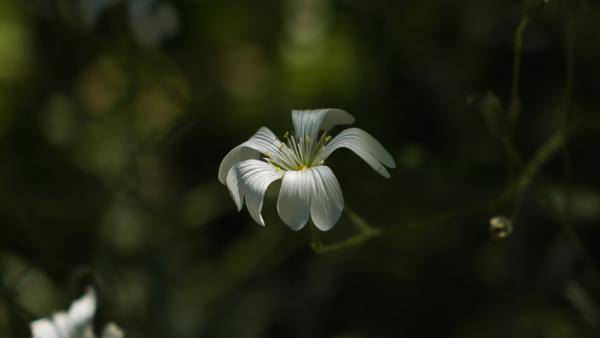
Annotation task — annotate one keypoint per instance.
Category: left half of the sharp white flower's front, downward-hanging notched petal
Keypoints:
(293, 203)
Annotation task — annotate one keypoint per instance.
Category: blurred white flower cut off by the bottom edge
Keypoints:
(76, 323)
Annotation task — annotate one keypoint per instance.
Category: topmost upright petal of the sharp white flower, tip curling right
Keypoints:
(309, 122)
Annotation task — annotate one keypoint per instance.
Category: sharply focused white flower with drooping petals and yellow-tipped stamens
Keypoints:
(308, 186)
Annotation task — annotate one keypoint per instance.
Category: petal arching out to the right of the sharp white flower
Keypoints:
(365, 146)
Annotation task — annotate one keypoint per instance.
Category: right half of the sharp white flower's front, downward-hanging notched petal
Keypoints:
(327, 201)
